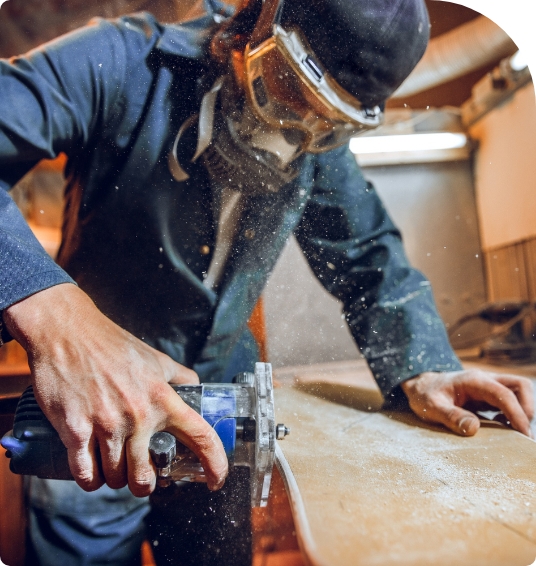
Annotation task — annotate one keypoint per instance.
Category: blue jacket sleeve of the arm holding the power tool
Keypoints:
(52, 100)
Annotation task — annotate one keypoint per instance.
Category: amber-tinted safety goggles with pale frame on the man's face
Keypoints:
(289, 89)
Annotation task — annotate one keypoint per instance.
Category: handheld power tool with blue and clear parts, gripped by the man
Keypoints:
(241, 413)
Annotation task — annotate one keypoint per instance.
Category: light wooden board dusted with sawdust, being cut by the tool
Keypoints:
(372, 488)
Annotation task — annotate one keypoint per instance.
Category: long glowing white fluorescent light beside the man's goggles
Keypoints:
(430, 141)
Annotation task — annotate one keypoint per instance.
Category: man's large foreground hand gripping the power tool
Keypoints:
(106, 392)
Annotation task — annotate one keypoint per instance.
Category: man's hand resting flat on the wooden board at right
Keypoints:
(441, 398)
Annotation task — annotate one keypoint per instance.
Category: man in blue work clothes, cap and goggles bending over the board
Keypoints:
(194, 152)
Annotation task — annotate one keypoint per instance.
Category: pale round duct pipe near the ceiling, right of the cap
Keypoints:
(456, 53)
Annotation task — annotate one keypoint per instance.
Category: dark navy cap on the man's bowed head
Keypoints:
(368, 46)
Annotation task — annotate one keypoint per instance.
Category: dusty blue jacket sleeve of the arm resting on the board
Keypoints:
(356, 252)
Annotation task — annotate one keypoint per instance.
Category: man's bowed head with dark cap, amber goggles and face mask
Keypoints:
(314, 72)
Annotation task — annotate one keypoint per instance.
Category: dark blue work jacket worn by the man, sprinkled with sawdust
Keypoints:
(112, 96)
